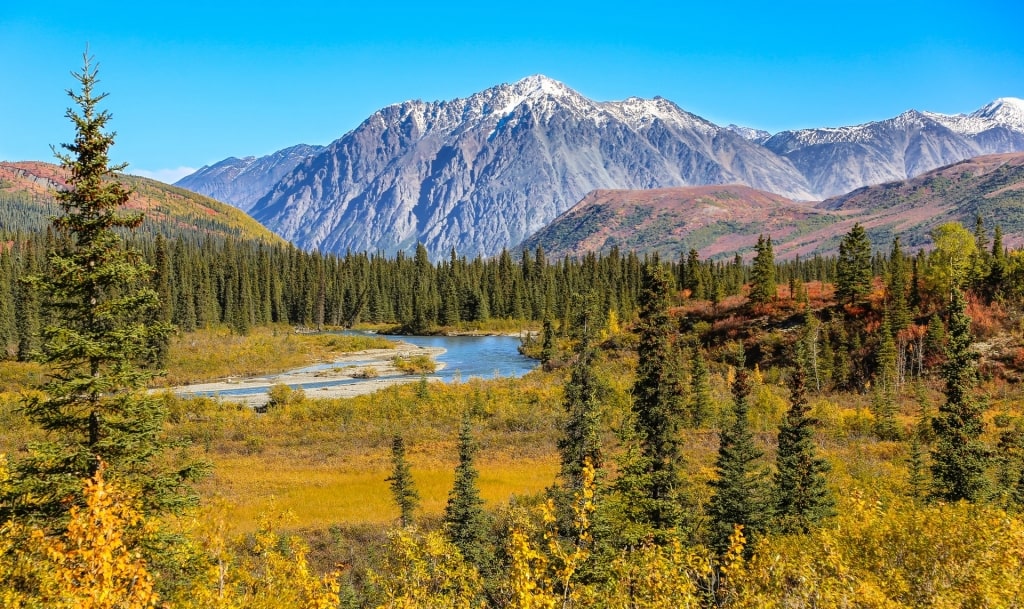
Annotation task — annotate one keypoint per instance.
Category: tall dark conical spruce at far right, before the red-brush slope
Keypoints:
(960, 458)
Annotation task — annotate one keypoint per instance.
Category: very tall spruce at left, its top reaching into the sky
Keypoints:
(96, 408)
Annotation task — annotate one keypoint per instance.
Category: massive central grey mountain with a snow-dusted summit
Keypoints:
(483, 173)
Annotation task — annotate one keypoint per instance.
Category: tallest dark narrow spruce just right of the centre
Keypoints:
(658, 407)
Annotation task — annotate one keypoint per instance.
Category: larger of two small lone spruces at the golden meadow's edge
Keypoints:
(465, 521)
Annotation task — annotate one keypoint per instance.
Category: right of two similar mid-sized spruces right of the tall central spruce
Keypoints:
(802, 496)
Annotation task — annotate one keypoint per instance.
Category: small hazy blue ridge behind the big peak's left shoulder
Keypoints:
(243, 182)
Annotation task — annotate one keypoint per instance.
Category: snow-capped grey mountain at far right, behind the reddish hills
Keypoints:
(837, 161)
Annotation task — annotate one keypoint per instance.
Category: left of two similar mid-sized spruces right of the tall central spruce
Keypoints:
(740, 490)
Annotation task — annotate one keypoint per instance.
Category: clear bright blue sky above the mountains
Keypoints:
(192, 83)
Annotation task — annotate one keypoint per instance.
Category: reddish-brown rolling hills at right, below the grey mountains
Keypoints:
(721, 221)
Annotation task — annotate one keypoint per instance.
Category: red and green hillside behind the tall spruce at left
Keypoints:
(27, 203)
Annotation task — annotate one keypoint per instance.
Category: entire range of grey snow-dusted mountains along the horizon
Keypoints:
(486, 172)
